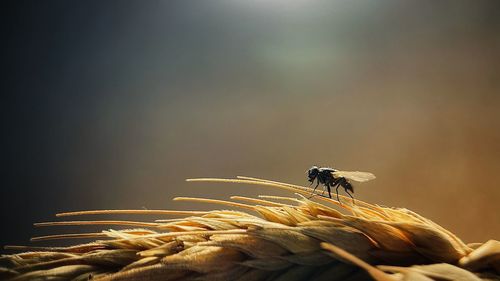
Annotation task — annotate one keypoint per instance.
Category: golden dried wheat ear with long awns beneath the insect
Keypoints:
(283, 239)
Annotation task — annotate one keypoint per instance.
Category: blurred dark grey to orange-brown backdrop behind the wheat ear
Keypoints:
(113, 104)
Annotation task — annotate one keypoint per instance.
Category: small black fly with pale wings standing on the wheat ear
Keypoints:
(334, 178)
